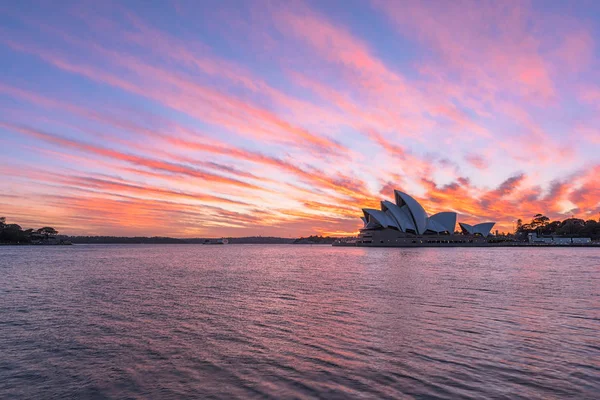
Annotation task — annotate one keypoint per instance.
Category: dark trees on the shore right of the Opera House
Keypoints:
(571, 227)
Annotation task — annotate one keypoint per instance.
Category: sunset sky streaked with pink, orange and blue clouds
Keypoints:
(285, 118)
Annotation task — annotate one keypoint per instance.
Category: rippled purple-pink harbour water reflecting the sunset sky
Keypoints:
(252, 321)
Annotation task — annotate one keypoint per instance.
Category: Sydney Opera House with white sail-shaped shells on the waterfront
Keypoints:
(405, 223)
